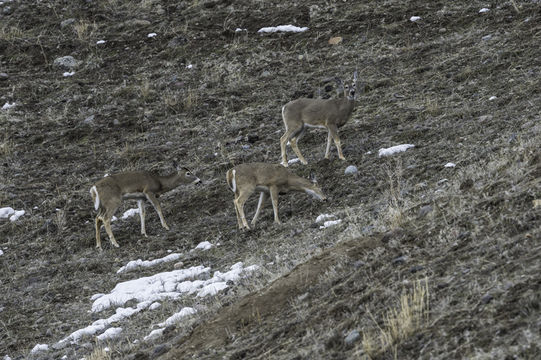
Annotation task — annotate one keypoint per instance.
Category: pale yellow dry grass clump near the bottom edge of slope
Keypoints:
(399, 324)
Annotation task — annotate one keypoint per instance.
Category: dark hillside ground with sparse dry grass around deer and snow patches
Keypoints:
(462, 85)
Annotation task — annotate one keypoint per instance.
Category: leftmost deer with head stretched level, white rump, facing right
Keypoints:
(108, 193)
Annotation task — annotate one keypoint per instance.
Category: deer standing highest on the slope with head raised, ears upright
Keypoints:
(329, 114)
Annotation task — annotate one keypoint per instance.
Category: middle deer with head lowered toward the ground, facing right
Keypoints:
(270, 179)
